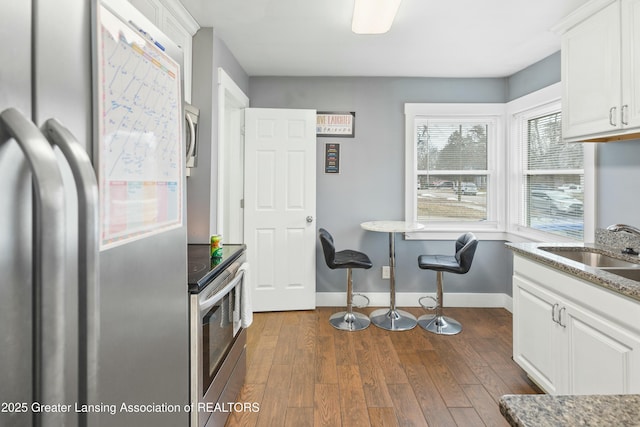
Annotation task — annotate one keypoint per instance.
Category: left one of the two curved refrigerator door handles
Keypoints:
(48, 263)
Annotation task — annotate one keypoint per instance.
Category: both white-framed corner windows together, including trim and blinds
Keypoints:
(462, 174)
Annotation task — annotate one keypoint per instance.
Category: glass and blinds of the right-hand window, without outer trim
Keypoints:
(552, 192)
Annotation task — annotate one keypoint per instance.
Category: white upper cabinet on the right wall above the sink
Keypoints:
(600, 64)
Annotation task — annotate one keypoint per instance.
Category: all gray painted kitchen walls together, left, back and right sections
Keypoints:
(371, 183)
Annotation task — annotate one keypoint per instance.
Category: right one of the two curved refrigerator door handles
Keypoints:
(88, 257)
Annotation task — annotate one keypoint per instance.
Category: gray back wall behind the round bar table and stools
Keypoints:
(371, 183)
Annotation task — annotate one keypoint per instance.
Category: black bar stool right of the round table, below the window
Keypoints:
(460, 263)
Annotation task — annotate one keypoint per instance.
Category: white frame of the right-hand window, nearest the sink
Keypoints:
(536, 104)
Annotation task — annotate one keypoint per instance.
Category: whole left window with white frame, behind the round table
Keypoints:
(452, 153)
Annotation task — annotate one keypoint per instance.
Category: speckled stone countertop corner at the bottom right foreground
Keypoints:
(541, 410)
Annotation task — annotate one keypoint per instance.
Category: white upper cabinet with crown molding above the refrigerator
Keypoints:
(177, 24)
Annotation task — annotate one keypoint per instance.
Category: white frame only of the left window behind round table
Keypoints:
(493, 228)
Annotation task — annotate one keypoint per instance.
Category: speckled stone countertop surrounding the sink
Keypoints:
(613, 282)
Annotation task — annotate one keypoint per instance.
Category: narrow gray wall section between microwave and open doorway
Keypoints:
(209, 53)
